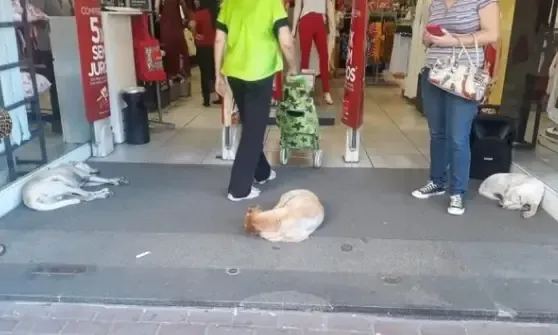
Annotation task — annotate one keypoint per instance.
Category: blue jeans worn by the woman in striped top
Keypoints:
(450, 119)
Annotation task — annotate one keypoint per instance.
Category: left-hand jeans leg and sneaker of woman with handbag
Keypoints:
(434, 109)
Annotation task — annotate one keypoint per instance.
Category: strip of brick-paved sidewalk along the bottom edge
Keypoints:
(34, 319)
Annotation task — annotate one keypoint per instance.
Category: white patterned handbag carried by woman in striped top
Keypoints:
(468, 81)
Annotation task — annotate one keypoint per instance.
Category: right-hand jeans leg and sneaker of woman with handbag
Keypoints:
(460, 116)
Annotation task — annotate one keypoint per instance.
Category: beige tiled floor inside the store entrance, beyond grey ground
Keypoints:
(394, 135)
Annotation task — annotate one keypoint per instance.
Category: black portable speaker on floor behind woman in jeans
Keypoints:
(492, 139)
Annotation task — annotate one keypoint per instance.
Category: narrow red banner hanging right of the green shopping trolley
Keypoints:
(353, 99)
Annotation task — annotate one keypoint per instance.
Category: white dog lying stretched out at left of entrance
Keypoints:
(61, 186)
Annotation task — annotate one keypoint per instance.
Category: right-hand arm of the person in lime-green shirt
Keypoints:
(283, 33)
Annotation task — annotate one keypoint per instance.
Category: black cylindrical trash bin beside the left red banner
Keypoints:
(136, 120)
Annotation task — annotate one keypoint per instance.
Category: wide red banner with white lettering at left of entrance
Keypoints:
(92, 56)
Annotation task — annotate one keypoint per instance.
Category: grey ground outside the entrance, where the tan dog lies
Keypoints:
(378, 250)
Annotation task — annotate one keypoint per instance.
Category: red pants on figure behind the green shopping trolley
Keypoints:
(311, 27)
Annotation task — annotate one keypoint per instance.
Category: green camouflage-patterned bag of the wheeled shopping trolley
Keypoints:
(297, 117)
